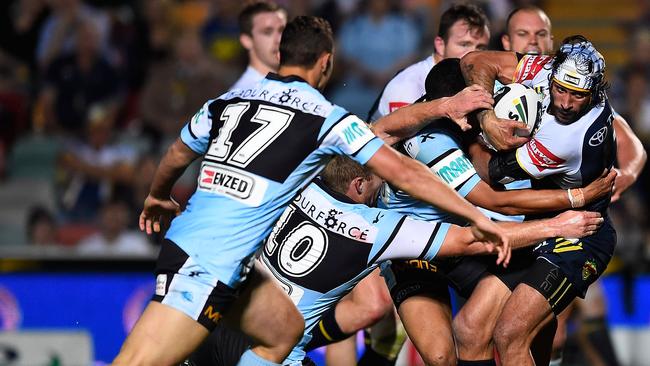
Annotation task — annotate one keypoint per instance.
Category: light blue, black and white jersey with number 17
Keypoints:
(259, 147)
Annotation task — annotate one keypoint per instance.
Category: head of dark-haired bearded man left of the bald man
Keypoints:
(463, 28)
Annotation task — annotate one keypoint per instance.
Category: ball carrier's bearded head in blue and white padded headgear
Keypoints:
(577, 80)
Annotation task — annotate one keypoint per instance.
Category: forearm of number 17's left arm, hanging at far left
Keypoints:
(171, 167)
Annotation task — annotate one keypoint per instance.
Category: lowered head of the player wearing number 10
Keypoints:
(356, 181)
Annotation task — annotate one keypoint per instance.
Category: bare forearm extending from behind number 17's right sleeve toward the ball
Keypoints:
(407, 121)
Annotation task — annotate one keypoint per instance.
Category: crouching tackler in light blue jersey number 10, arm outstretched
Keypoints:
(330, 237)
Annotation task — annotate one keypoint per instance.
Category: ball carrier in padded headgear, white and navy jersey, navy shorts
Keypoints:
(574, 143)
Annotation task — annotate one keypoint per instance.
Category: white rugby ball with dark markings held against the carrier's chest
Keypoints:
(519, 103)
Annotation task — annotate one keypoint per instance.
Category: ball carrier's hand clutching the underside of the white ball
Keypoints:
(501, 133)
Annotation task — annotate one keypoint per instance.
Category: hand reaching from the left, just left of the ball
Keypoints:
(466, 101)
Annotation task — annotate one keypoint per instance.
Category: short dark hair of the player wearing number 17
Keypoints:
(304, 40)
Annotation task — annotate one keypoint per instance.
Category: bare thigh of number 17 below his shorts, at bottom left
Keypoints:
(162, 336)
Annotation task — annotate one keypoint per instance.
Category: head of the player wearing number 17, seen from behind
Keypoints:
(307, 42)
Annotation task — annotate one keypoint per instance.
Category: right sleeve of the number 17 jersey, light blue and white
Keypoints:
(347, 134)
